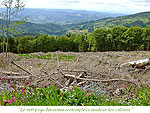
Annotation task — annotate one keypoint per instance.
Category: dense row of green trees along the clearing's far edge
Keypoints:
(114, 39)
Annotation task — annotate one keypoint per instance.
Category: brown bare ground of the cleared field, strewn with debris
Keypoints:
(93, 65)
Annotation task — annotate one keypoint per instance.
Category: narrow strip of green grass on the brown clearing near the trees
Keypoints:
(61, 57)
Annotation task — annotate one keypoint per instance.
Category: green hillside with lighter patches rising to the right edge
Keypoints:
(139, 19)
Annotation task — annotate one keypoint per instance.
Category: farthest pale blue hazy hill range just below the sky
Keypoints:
(63, 16)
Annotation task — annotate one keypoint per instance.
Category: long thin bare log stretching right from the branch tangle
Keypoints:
(95, 80)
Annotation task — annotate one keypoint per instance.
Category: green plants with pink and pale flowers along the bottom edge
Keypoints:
(52, 96)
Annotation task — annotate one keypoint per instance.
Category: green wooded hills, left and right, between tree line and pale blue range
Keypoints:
(139, 19)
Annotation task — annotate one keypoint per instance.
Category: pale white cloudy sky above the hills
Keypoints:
(112, 6)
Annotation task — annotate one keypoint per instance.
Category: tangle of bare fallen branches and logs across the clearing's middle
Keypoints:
(71, 80)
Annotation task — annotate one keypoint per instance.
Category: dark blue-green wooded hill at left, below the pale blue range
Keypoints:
(32, 29)
